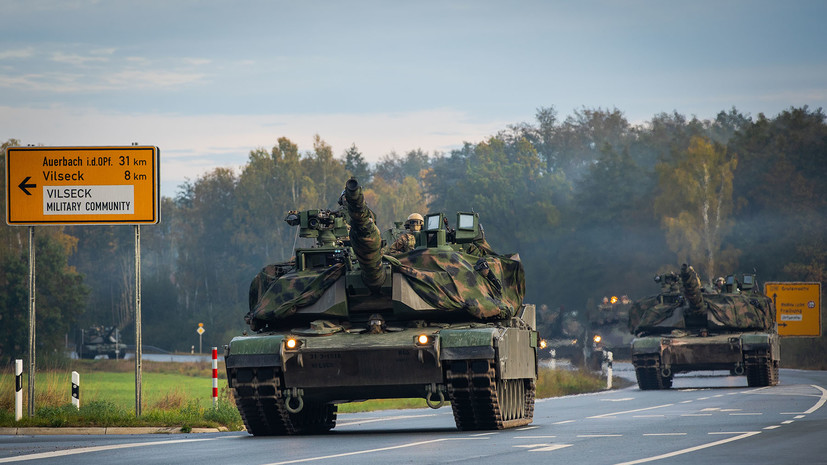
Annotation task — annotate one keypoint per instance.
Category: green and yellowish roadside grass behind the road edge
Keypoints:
(179, 395)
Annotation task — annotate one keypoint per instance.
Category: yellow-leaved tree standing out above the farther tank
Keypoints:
(695, 204)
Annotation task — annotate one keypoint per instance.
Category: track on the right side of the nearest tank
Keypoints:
(481, 401)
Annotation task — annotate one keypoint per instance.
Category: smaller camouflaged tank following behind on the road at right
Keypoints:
(689, 328)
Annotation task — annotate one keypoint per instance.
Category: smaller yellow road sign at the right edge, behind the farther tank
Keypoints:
(797, 307)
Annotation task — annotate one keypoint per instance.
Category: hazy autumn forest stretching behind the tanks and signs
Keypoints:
(594, 205)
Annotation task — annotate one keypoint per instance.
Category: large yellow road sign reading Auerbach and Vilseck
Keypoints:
(82, 185)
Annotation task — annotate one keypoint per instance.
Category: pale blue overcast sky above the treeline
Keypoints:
(208, 81)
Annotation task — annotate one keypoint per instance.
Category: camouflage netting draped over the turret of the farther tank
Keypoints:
(723, 312)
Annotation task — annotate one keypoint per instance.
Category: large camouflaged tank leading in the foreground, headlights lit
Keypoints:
(344, 321)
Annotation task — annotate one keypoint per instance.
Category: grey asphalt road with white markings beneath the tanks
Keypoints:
(702, 419)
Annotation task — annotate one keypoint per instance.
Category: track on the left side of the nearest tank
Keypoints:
(263, 407)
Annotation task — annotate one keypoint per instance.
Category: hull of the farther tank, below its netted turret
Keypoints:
(658, 358)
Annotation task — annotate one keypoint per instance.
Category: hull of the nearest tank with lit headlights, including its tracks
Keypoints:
(487, 371)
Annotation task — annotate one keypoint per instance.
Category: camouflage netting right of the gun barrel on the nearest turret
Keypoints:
(450, 281)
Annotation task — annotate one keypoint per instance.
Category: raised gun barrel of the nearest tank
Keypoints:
(364, 235)
